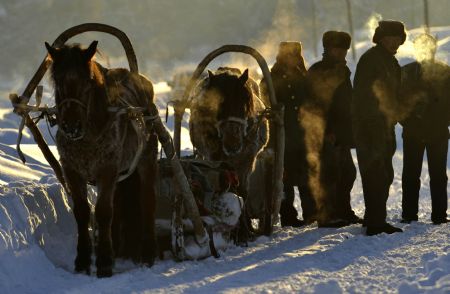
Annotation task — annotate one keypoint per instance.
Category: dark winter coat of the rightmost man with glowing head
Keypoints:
(425, 94)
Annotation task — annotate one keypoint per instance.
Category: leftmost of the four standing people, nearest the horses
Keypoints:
(289, 80)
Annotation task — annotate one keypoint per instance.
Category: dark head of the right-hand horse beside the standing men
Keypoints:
(236, 106)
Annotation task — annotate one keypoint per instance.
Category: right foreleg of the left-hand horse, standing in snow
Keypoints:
(106, 183)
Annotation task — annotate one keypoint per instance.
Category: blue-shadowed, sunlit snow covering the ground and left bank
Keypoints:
(38, 241)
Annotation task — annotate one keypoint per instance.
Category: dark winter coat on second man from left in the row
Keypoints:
(334, 99)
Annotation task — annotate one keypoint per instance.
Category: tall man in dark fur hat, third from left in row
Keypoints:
(374, 114)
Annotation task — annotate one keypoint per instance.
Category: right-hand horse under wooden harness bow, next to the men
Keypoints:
(225, 125)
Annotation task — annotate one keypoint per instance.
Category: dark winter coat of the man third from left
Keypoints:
(376, 89)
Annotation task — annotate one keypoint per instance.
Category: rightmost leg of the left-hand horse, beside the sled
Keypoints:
(148, 170)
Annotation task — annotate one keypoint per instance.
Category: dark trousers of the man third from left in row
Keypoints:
(375, 147)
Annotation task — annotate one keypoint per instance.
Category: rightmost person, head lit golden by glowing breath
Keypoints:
(426, 92)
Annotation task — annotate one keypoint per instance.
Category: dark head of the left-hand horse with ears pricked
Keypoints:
(77, 79)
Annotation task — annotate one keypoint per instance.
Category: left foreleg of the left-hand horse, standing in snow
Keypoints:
(82, 212)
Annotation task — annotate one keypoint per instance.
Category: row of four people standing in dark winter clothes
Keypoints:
(325, 117)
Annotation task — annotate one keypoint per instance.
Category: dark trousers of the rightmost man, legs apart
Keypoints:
(413, 151)
